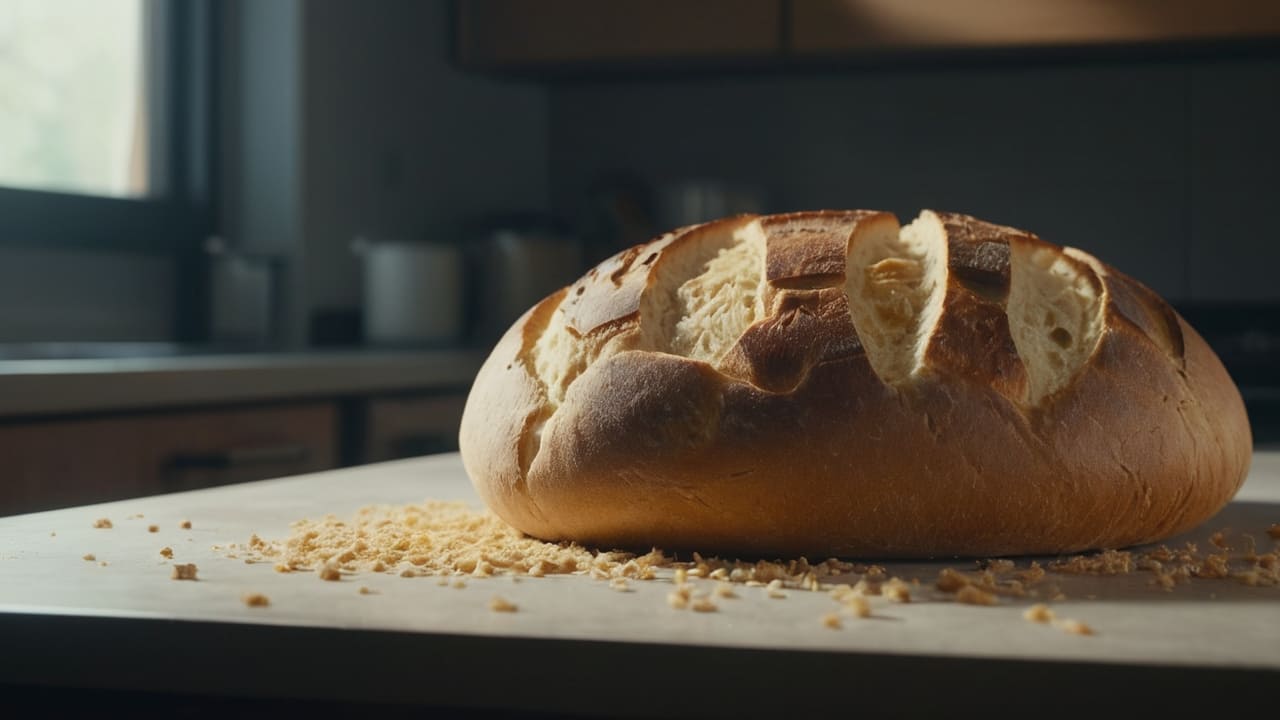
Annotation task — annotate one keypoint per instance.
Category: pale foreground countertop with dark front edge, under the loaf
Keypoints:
(577, 646)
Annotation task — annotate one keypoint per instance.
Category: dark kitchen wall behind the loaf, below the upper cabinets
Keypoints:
(1167, 171)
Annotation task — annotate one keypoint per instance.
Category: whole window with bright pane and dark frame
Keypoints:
(106, 124)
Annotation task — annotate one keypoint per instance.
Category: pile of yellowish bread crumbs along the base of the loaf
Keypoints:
(451, 541)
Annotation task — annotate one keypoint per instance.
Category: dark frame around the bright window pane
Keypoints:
(181, 216)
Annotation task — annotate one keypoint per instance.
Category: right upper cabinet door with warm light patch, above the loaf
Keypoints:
(838, 26)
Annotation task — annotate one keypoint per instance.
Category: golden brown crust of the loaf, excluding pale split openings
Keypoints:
(793, 444)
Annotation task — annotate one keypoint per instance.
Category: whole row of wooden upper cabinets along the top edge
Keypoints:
(579, 35)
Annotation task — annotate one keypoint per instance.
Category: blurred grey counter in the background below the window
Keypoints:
(93, 385)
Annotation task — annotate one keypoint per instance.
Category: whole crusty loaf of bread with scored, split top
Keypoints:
(831, 385)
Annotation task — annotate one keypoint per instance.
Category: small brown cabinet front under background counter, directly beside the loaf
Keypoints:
(406, 427)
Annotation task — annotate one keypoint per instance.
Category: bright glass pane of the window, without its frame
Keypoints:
(74, 97)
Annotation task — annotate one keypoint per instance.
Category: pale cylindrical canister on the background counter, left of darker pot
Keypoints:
(414, 293)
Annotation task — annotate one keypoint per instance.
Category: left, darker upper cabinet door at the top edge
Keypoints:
(515, 34)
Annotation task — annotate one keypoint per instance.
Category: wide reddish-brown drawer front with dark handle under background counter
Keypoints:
(70, 462)
